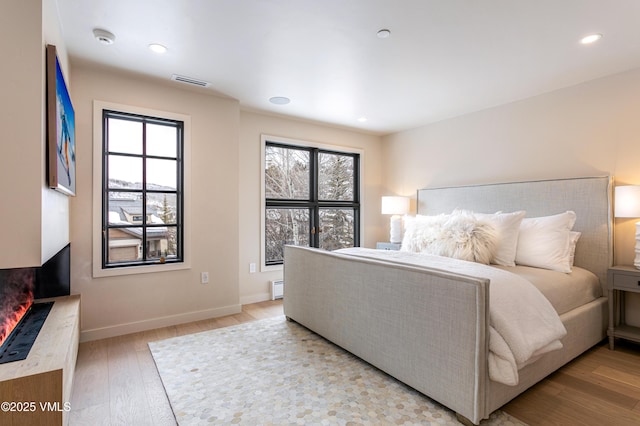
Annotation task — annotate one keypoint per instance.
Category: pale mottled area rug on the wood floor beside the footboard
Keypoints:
(275, 372)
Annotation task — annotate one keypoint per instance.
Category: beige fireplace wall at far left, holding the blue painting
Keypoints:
(34, 218)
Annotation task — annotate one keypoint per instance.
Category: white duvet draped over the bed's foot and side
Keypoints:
(523, 324)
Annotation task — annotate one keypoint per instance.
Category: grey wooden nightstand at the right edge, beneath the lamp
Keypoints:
(621, 279)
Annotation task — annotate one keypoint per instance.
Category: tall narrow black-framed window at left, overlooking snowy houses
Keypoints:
(142, 190)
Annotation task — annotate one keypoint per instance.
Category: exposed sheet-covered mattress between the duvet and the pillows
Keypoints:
(564, 291)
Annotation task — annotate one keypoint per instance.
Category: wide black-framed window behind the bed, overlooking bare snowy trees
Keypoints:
(312, 198)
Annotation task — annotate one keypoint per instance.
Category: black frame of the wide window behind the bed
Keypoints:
(314, 204)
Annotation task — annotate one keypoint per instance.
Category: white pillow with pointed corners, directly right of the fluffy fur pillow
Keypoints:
(508, 227)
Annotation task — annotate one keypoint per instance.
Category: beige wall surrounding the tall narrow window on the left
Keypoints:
(115, 305)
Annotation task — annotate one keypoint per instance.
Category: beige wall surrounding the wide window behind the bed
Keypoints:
(255, 286)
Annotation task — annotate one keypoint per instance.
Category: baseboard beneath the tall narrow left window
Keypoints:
(150, 324)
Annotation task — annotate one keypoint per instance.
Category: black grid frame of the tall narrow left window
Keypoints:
(179, 191)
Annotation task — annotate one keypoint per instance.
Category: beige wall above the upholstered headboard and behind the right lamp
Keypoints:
(591, 129)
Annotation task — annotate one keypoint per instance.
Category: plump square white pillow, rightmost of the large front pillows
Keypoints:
(544, 242)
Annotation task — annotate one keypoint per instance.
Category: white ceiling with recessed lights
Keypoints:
(443, 58)
